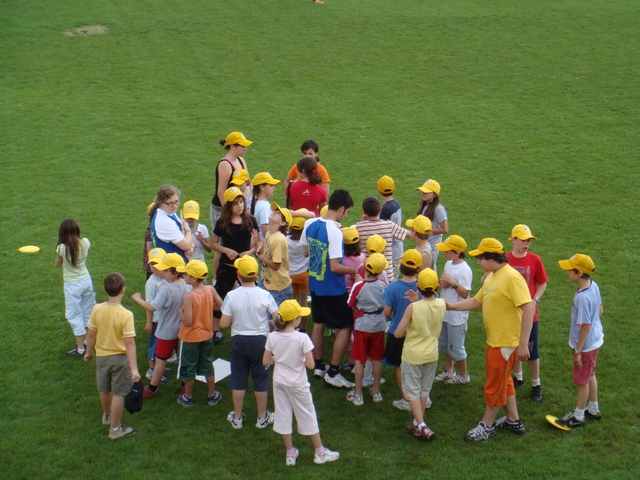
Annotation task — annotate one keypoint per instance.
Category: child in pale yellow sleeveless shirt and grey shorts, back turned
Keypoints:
(421, 326)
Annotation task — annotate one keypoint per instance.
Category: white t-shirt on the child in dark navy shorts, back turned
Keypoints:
(251, 308)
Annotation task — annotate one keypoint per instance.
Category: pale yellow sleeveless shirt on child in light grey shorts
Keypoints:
(421, 340)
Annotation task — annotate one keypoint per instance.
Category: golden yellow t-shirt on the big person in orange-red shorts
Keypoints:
(501, 296)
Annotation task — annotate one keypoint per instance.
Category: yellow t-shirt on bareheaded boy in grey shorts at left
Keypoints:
(113, 323)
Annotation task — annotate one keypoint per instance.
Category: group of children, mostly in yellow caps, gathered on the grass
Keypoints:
(358, 277)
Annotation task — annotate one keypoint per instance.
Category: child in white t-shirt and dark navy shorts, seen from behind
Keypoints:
(248, 310)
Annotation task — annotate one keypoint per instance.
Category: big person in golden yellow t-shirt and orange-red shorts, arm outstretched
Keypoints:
(507, 311)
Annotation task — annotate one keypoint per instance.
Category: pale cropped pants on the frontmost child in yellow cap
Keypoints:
(290, 401)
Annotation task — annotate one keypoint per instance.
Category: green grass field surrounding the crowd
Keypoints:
(525, 112)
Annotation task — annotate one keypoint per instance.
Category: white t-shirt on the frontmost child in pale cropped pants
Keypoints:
(289, 350)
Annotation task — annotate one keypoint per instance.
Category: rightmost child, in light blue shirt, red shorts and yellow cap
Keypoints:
(585, 337)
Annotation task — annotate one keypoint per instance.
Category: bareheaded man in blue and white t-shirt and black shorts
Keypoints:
(322, 243)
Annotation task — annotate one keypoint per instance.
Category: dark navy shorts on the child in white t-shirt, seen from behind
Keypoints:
(246, 358)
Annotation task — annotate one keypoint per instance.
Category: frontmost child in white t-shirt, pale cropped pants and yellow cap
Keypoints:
(290, 352)
